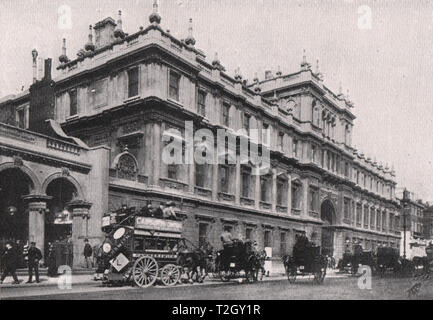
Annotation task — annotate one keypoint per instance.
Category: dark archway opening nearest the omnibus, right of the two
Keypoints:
(58, 222)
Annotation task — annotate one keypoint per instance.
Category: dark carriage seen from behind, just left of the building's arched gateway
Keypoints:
(306, 260)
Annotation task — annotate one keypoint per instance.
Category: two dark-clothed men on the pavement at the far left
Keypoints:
(11, 259)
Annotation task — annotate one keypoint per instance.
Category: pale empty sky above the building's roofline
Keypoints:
(380, 51)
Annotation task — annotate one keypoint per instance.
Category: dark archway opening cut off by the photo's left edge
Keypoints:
(14, 217)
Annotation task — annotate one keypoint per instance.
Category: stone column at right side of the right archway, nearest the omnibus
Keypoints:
(80, 231)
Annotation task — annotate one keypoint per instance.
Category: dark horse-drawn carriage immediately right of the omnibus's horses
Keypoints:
(240, 257)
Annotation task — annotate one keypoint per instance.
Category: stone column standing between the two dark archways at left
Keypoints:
(37, 206)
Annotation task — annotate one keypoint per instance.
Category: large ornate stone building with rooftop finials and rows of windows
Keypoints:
(123, 92)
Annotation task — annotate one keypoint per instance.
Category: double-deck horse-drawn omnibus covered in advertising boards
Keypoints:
(141, 249)
